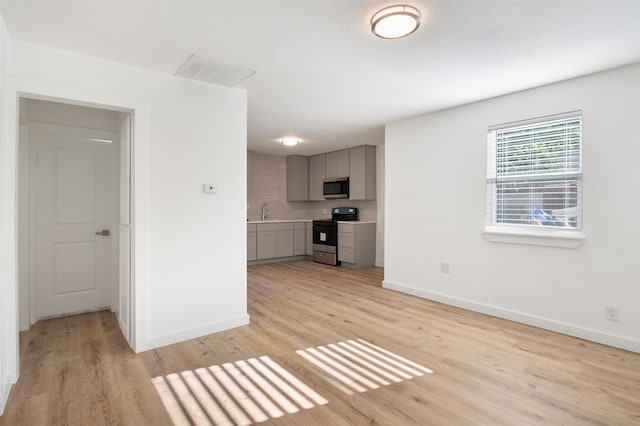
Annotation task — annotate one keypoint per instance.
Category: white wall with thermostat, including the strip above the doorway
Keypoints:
(190, 248)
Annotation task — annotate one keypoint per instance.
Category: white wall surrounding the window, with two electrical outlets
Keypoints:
(435, 212)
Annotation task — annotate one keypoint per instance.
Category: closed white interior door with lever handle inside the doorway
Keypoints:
(75, 204)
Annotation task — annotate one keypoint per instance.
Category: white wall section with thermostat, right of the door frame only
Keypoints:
(197, 241)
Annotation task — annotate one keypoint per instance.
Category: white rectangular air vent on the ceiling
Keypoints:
(209, 71)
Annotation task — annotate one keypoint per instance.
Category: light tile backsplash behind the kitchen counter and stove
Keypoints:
(267, 183)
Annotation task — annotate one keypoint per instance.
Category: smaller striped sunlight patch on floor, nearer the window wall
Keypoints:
(357, 365)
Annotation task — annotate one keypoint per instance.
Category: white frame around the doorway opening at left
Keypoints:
(137, 108)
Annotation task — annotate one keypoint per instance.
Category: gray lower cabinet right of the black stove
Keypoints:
(357, 244)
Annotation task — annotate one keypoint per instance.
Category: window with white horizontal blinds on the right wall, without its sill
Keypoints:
(534, 173)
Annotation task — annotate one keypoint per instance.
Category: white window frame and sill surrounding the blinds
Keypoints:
(555, 236)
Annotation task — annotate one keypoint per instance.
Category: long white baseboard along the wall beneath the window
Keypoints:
(572, 330)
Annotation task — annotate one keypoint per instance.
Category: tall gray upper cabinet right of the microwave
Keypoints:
(362, 173)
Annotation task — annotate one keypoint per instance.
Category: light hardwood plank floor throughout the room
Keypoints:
(78, 370)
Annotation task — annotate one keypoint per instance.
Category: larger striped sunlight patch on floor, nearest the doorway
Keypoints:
(239, 393)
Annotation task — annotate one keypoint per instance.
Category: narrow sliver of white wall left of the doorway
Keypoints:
(8, 299)
